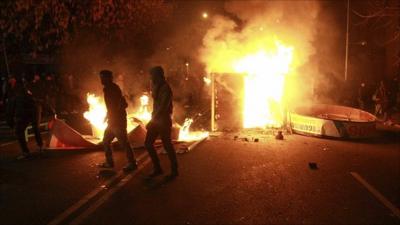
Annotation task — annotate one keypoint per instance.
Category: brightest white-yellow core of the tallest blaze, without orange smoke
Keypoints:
(264, 85)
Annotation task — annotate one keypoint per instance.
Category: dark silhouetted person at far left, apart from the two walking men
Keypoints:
(21, 112)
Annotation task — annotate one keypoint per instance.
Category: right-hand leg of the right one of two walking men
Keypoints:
(165, 134)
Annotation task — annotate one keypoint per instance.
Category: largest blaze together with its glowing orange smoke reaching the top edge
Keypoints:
(272, 48)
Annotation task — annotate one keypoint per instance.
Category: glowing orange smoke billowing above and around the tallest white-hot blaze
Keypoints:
(248, 26)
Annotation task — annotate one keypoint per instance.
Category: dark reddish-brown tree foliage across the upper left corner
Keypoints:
(45, 25)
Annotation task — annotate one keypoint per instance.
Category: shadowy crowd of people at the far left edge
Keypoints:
(25, 99)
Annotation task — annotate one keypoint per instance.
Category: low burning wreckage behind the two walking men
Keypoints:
(65, 137)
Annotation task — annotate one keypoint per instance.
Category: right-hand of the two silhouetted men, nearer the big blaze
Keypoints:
(161, 123)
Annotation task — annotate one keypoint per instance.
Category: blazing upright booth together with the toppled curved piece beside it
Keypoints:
(264, 79)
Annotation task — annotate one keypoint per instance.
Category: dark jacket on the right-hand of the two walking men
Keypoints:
(162, 104)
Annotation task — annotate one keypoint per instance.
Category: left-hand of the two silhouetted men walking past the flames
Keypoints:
(117, 122)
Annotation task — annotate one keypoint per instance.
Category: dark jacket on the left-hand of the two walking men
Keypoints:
(116, 104)
